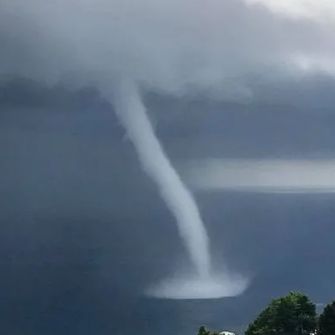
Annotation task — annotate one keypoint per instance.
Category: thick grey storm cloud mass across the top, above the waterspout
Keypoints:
(173, 46)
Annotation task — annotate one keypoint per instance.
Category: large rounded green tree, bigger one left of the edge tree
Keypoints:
(293, 314)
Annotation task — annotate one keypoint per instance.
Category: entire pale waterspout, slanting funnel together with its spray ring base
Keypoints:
(132, 114)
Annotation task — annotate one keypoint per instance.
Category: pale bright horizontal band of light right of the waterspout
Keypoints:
(307, 176)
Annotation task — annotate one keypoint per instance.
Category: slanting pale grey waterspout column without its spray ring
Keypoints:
(132, 114)
